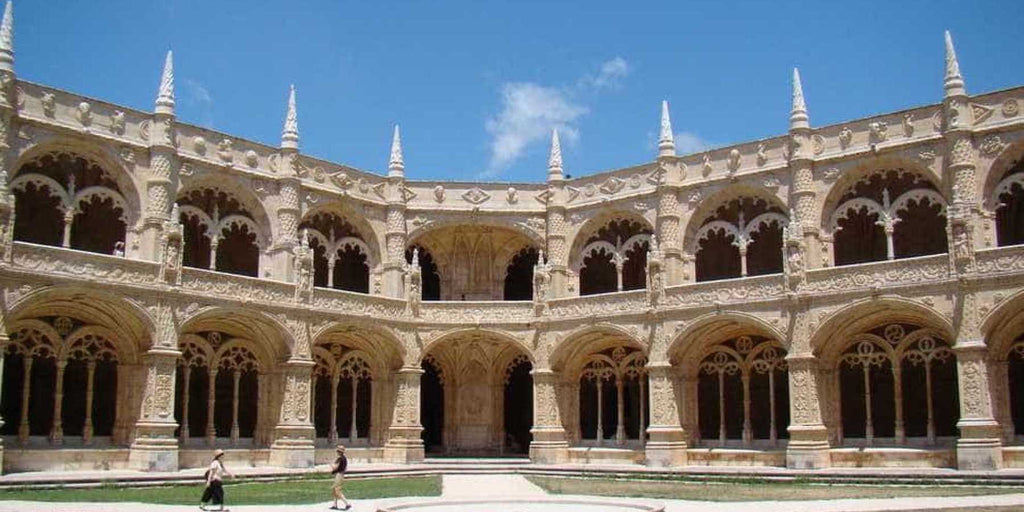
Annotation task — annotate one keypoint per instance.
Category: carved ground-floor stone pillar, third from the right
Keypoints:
(667, 444)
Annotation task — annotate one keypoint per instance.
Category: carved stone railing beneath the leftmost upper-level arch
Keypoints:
(49, 261)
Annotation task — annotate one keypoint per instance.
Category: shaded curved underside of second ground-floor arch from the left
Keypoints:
(271, 342)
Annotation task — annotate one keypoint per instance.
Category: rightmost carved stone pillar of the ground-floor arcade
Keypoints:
(980, 445)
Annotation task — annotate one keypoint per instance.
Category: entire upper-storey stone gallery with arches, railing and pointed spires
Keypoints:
(90, 189)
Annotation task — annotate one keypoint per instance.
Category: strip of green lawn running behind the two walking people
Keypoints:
(278, 493)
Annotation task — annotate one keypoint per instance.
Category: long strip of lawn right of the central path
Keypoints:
(739, 492)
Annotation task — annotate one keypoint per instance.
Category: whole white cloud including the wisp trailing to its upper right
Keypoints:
(531, 111)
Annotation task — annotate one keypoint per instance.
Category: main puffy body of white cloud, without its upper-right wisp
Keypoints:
(529, 114)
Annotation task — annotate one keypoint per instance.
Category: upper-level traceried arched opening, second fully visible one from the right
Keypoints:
(742, 238)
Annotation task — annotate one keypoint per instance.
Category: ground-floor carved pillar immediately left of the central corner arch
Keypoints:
(405, 445)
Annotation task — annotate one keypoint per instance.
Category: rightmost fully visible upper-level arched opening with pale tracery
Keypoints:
(888, 215)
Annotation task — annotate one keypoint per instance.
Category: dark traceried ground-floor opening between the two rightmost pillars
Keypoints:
(899, 386)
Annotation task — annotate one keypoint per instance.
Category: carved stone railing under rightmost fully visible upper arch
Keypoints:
(878, 274)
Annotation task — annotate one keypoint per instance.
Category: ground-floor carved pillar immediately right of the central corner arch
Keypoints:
(549, 445)
